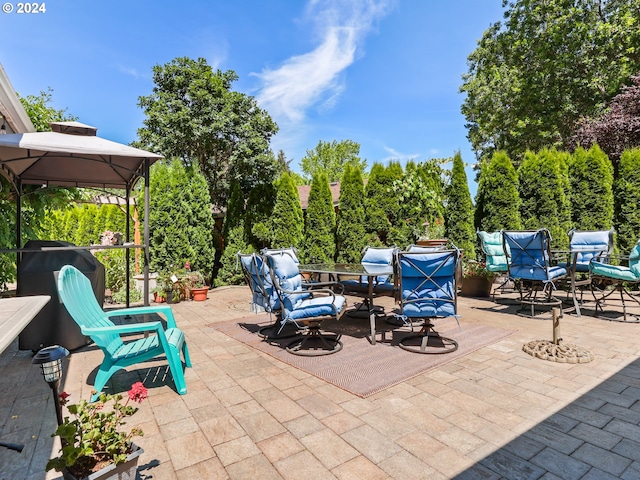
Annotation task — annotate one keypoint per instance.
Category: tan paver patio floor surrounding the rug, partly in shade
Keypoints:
(493, 413)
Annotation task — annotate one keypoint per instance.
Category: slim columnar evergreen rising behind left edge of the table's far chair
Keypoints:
(350, 230)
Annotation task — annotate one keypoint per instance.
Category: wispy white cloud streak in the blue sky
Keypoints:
(316, 78)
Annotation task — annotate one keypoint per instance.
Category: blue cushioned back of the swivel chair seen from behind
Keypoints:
(428, 285)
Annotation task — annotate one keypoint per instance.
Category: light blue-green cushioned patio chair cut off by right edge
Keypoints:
(622, 278)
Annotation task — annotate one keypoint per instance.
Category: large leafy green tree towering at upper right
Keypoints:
(533, 76)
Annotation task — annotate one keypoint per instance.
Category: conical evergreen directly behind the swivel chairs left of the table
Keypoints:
(286, 225)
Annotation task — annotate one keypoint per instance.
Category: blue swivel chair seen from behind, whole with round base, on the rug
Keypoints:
(428, 290)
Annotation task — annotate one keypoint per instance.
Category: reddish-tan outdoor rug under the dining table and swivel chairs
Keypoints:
(361, 368)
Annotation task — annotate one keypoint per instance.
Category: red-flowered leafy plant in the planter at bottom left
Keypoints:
(91, 437)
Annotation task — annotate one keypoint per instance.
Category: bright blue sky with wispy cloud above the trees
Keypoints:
(383, 73)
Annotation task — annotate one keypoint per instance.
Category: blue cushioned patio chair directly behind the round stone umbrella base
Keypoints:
(529, 260)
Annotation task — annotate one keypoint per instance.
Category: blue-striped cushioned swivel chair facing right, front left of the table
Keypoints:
(304, 308)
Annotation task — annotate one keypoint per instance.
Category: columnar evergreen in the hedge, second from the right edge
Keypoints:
(591, 180)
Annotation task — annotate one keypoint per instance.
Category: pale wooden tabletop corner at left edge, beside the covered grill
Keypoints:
(16, 313)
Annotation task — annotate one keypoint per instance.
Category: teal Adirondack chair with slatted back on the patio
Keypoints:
(77, 296)
